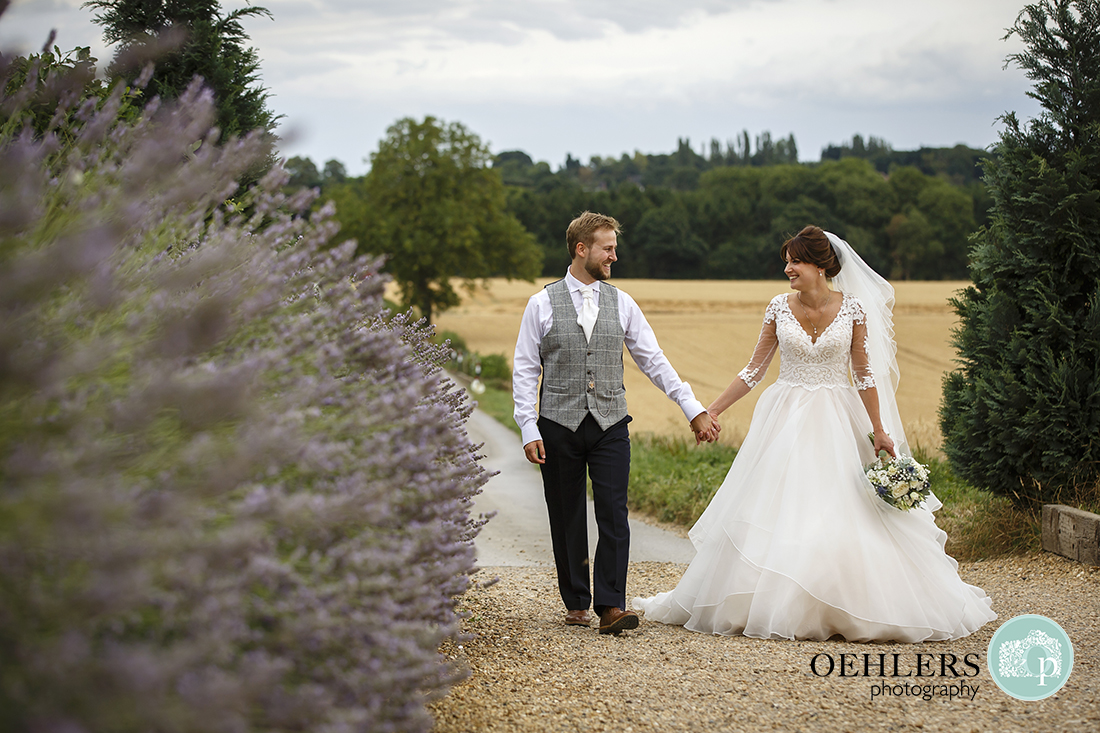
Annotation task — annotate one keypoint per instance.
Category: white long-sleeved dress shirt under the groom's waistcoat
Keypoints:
(640, 338)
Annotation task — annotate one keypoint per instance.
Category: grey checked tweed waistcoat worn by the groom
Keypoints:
(582, 377)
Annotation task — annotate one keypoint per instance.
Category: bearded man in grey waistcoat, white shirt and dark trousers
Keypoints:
(573, 334)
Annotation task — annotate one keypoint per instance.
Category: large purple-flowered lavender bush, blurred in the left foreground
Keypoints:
(234, 496)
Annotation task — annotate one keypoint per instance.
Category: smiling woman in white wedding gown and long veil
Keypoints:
(795, 543)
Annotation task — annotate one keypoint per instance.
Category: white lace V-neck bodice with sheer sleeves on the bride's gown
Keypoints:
(808, 364)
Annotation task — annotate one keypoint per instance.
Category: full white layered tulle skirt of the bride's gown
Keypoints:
(796, 545)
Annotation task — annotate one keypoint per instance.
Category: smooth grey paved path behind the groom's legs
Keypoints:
(520, 534)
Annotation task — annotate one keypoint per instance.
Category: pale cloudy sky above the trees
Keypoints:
(603, 78)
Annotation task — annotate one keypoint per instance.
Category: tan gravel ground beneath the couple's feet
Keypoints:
(532, 673)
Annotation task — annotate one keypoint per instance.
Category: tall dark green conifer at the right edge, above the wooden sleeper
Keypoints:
(1022, 413)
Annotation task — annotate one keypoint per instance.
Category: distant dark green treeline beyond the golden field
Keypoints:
(724, 214)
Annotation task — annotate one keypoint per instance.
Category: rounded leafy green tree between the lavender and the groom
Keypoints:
(436, 209)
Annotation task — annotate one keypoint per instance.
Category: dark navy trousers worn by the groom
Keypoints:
(606, 457)
